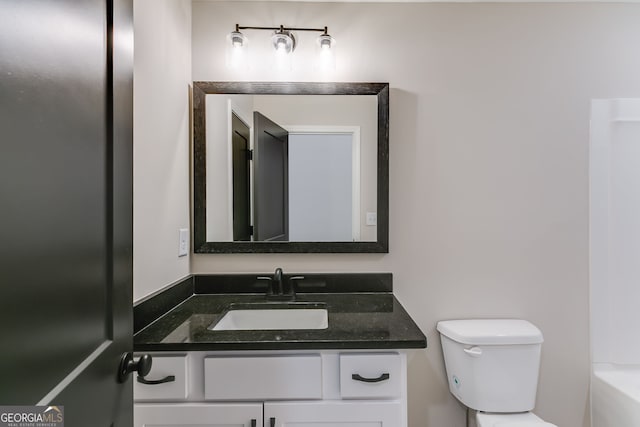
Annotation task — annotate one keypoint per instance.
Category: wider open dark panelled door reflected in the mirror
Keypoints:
(271, 182)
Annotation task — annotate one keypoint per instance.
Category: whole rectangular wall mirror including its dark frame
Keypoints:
(290, 167)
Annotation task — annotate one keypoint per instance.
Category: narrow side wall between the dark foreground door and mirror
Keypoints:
(162, 76)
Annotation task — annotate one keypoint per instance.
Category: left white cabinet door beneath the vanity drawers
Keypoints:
(197, 414)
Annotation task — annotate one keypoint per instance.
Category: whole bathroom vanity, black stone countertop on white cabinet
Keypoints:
(351, 372)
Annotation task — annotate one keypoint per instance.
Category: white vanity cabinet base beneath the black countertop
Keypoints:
(274, 389)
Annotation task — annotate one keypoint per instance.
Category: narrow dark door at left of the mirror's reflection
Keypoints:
(241, 178)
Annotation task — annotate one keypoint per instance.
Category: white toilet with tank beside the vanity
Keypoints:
(492, 366)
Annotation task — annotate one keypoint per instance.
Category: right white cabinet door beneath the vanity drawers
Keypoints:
(335, 414)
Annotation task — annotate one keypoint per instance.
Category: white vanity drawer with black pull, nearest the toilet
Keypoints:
(370, 375)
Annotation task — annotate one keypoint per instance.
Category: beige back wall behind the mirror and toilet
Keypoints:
(489, 145)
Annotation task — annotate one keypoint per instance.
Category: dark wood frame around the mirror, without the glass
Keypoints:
(201, 89)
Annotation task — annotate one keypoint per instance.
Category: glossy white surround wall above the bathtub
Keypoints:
(615, 231)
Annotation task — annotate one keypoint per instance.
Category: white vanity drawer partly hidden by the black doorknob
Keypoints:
(161, 368)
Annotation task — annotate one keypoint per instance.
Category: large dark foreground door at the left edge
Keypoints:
(66, 207)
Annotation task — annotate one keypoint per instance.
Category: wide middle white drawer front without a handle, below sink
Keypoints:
(263, 377)
